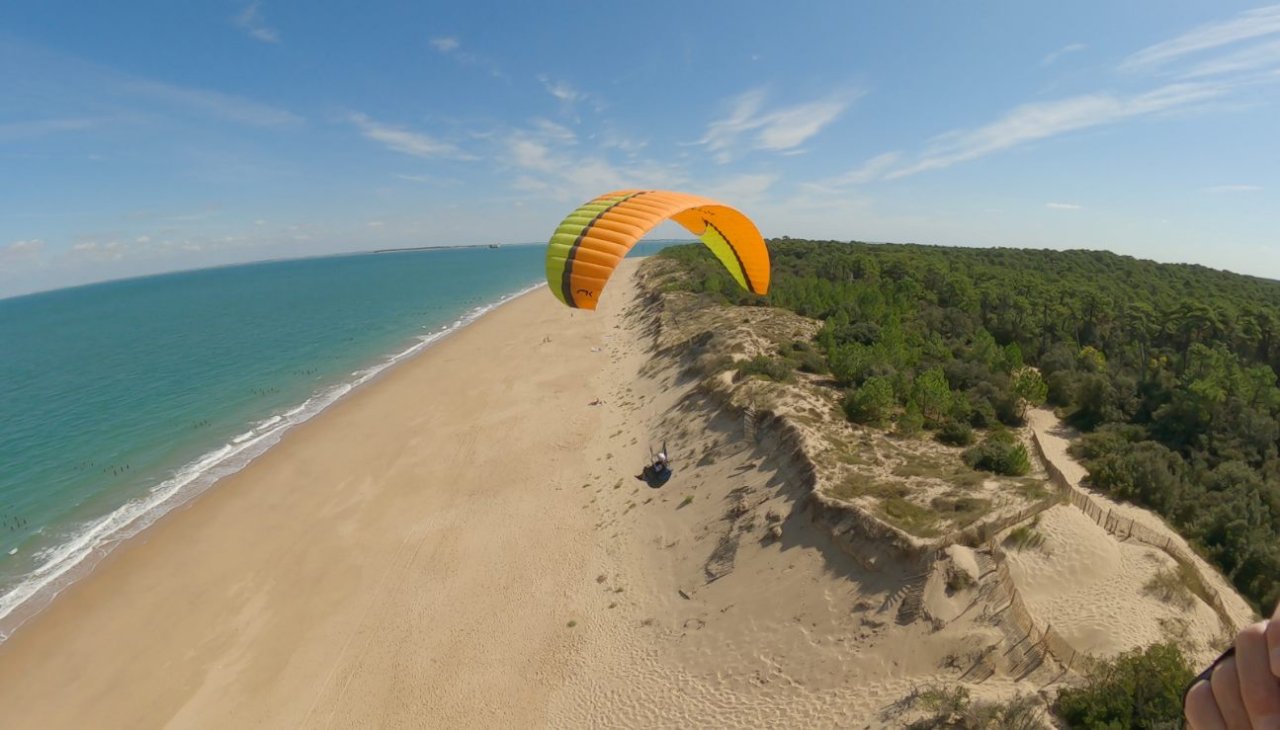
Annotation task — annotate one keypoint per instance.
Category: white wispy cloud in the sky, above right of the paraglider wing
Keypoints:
(778, 130)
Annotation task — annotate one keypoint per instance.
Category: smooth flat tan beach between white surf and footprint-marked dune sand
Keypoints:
(412, 558)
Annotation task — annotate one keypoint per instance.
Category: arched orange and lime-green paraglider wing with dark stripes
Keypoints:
(591, 241)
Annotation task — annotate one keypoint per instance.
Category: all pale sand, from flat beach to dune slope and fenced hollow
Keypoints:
(463, 544)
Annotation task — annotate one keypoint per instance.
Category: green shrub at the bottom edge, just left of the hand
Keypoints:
(1142, 688)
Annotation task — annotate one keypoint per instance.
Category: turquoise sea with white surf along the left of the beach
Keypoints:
(121, 401)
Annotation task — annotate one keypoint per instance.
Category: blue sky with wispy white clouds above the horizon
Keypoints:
(140, 138)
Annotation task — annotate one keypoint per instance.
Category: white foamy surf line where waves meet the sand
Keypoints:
(93, 542)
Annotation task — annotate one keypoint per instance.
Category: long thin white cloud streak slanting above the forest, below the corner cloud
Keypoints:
(1041, 121)
